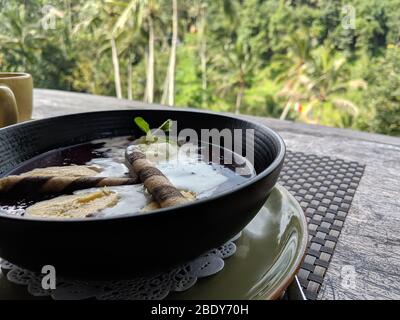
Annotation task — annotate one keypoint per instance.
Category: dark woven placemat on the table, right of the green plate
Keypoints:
(324, 187)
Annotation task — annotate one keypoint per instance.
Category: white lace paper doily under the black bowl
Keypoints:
(142, 288)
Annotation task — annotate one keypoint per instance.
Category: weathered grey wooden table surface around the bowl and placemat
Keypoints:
(369, 244)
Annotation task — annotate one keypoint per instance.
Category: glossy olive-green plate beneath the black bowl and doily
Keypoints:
(268, 256)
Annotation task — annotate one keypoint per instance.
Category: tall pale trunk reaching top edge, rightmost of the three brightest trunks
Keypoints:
(169, 85)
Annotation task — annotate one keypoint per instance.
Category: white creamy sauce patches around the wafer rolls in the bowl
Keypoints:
(186, 172)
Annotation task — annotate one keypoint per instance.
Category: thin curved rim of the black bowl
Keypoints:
(259, 176)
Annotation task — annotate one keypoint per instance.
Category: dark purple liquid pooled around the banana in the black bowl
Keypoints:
(92, 152)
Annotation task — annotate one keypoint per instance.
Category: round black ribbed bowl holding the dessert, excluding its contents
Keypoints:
(131, 244)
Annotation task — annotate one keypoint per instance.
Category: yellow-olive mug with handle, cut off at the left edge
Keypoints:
(16, 97)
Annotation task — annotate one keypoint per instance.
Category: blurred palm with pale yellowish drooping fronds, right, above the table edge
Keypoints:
(314, 77)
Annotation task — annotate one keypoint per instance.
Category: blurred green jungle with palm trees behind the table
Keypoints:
(328, 62)
